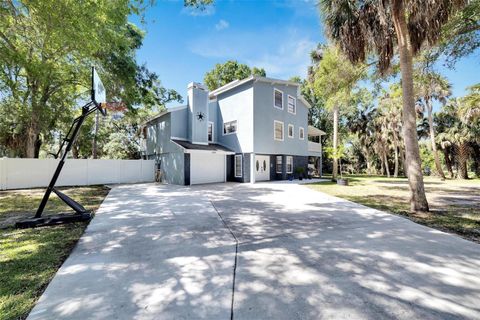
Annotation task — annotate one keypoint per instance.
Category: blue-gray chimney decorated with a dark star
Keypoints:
(197, 113)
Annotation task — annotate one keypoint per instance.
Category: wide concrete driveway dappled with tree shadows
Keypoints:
(272, 250)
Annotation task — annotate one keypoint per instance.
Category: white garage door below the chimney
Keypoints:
(207, 167)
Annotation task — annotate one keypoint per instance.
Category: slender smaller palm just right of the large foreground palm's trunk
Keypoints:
(429, 86)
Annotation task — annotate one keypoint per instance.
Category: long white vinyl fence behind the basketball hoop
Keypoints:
(17, 173)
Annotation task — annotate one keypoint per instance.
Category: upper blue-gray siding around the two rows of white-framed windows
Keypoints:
(265, 114)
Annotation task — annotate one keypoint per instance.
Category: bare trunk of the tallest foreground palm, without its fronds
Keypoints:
(418, 200)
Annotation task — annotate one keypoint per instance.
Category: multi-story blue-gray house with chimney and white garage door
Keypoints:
(249, 130)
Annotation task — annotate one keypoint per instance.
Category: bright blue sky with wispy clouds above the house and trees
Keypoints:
(181, 45)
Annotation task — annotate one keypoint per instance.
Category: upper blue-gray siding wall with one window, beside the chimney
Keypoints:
(237, 104)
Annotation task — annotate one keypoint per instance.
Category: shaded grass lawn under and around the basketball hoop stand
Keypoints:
(29, 258)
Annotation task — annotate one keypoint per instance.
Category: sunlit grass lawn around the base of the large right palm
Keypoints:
(454, 204)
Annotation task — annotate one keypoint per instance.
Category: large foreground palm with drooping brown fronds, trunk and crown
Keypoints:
(361, 27)
